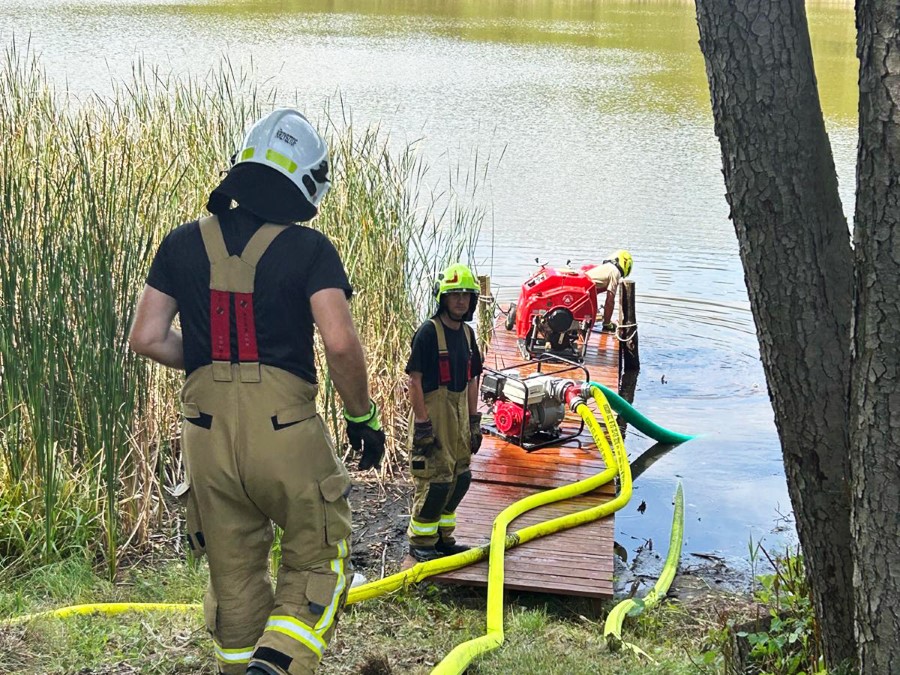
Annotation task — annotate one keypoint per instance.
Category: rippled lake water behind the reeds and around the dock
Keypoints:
(594, 117)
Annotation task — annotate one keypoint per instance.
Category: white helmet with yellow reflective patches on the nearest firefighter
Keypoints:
(285, 141)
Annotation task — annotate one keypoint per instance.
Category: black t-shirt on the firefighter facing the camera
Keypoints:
(424, 357)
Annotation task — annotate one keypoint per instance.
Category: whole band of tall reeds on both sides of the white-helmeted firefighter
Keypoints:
(87, 190)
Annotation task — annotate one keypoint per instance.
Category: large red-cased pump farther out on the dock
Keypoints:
(554, 314)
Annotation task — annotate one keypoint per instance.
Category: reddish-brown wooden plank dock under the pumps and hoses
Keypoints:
(574, 562)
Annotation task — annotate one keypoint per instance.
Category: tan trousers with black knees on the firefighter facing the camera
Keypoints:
(442, 479)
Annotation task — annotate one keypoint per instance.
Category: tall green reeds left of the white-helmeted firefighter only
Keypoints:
(85, 187)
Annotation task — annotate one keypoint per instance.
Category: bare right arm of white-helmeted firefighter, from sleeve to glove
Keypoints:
(346, 361)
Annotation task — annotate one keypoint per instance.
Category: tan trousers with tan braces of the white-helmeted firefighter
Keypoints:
(256, 453)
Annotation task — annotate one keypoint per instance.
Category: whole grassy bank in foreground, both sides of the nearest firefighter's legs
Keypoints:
(406, 632)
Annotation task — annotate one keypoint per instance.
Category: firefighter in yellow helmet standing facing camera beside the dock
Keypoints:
(443, 368)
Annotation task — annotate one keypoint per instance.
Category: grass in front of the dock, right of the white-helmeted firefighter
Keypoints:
(414, 629)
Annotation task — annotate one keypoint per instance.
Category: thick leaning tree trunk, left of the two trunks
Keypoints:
(795, 248)
